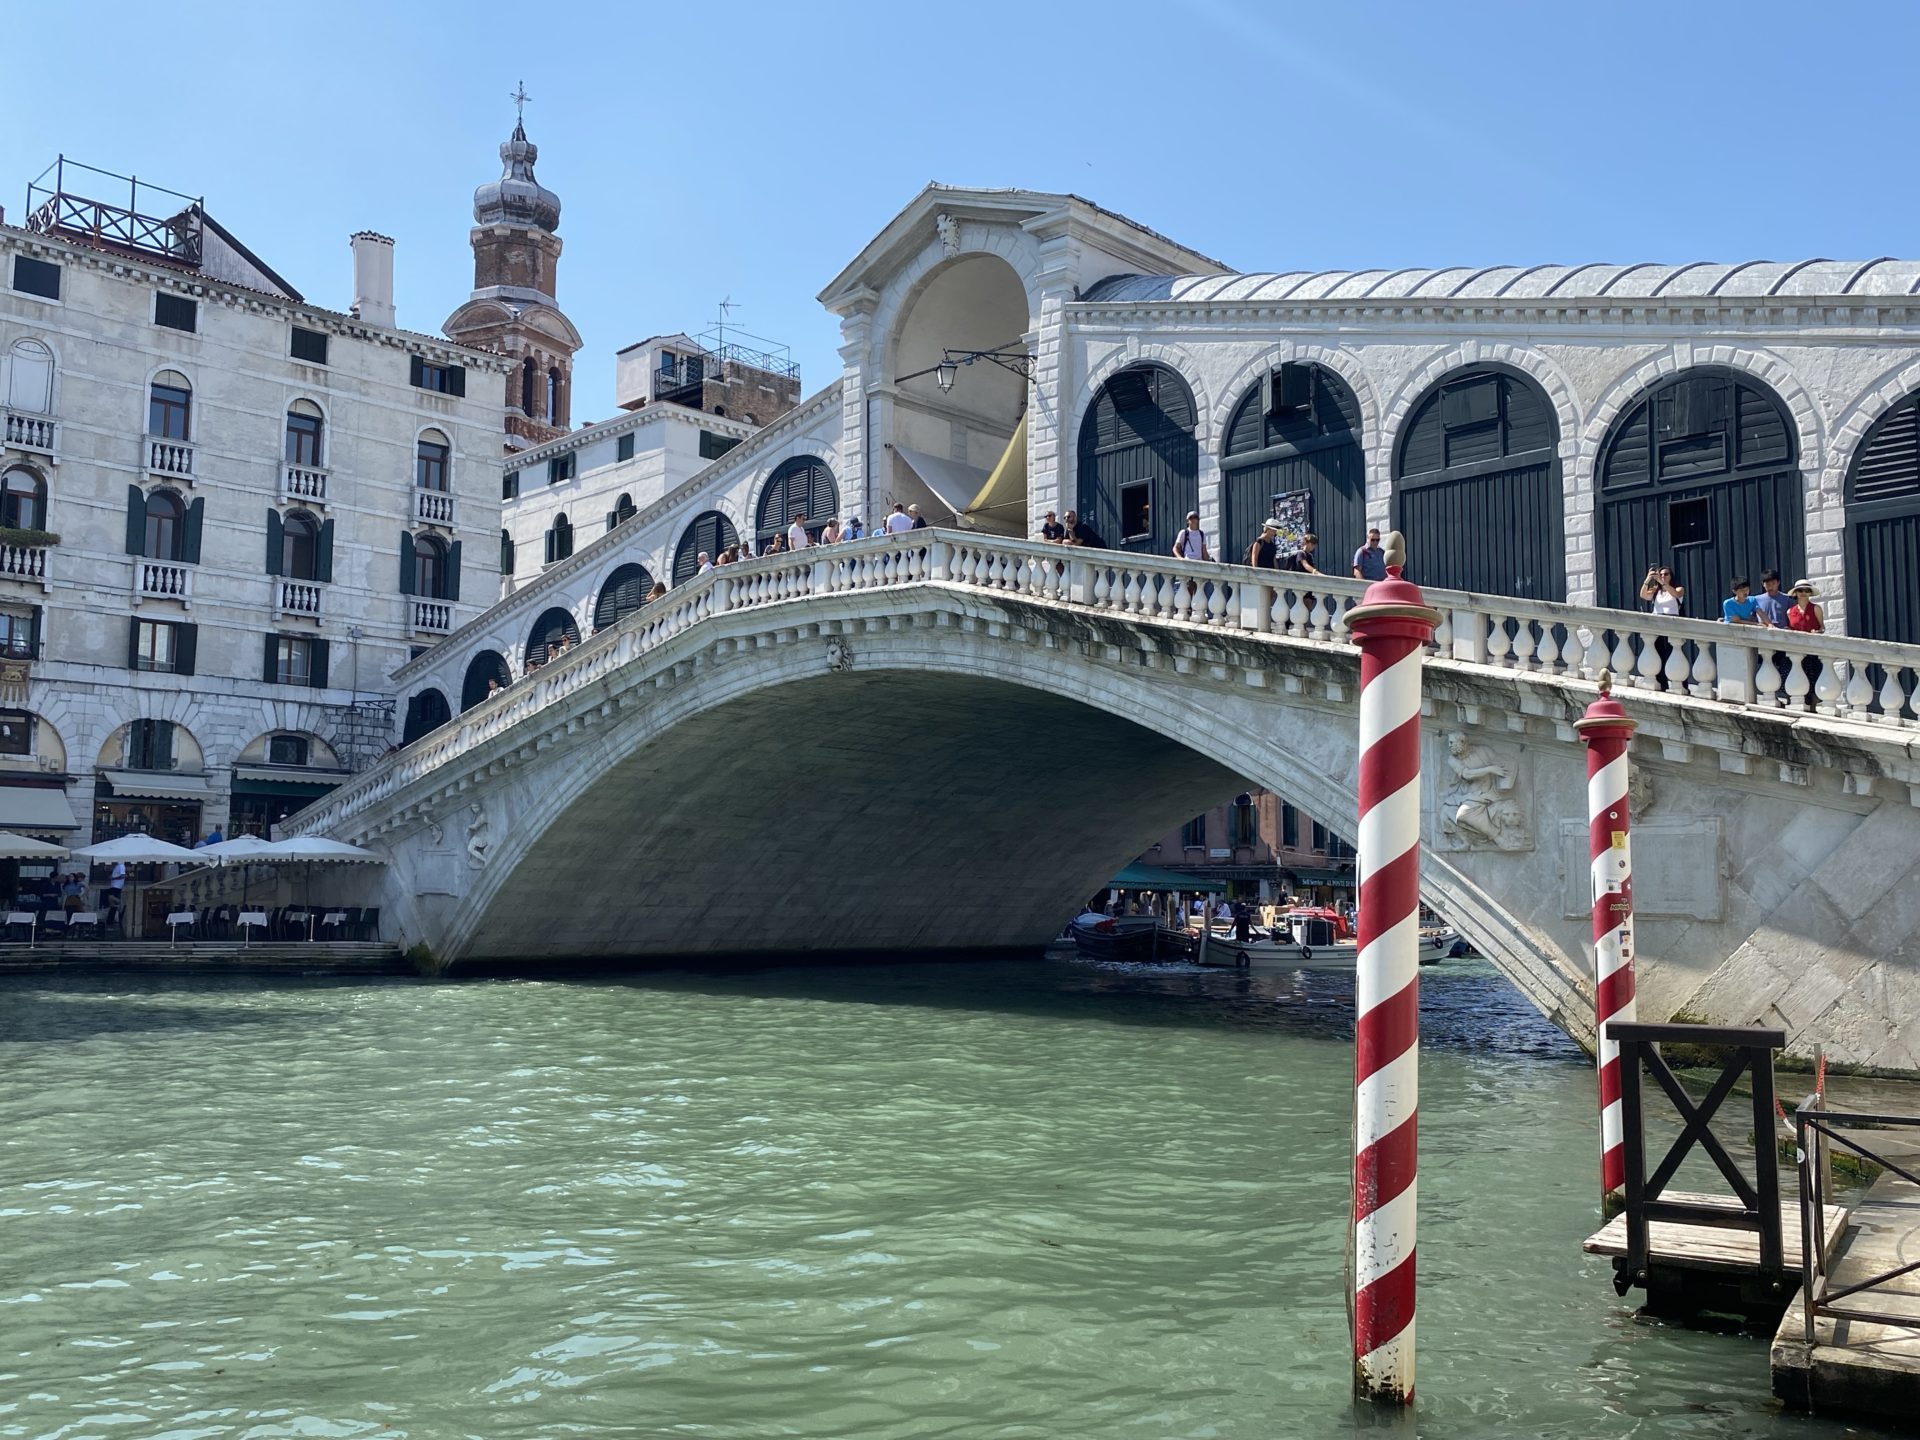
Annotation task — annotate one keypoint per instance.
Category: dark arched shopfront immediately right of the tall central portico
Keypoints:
(1140, 466)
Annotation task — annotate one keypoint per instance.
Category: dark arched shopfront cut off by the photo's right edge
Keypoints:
(1884, 529)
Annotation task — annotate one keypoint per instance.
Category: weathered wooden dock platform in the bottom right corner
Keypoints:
(1860, 1366)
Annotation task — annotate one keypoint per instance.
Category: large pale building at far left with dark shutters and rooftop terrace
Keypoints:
(229, 516)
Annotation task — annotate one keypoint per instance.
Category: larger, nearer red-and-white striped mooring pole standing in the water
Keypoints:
(1391, 625)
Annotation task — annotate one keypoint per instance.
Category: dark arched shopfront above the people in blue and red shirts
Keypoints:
(1698, 475)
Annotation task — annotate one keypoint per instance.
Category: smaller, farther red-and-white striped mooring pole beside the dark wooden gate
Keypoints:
(1608, 734)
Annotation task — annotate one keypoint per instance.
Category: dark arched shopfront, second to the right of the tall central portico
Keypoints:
(1295, 433)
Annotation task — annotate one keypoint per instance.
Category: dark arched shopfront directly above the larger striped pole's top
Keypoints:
(1477, 487)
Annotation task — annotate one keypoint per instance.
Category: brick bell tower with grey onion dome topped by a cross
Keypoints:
(514, 310)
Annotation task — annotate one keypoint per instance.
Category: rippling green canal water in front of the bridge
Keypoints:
(913, 1201)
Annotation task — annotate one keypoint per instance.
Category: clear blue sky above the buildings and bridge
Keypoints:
(750, 151)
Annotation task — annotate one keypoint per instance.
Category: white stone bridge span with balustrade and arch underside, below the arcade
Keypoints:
(938, 742)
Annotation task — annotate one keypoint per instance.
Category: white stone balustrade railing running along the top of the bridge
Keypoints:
(1836, 679)
